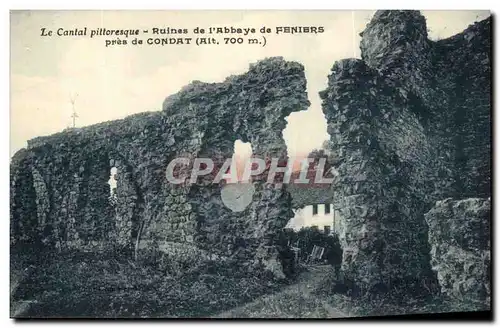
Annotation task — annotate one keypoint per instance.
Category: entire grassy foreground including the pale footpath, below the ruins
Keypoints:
(83, 285)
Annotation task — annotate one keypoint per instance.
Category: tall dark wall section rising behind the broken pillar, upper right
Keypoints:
(449, 83)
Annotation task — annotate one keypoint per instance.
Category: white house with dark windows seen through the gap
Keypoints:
(322, 216)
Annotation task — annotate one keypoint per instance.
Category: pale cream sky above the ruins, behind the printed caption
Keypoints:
(108, 83)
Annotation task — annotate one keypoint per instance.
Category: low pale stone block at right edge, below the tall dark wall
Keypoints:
(459, 232)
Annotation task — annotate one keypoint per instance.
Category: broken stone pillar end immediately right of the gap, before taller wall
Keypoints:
(380, 190)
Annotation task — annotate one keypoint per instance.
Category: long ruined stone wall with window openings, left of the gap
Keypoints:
(67, 173)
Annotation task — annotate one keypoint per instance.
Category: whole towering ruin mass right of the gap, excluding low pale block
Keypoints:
(410, 124)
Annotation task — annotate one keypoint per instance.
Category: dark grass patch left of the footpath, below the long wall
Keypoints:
(97, 285)
